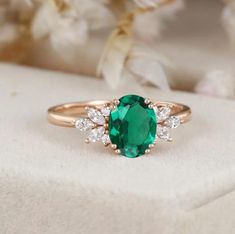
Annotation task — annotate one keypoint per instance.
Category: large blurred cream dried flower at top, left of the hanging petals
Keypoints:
(68, 29)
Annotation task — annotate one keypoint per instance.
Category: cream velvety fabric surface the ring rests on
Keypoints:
(53, 183)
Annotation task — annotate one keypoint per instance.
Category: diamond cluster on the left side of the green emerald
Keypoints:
(96, 123)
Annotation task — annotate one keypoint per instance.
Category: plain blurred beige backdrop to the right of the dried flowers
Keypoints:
(197, 43)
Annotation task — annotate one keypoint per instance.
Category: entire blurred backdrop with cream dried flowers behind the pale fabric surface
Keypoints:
(177, 44)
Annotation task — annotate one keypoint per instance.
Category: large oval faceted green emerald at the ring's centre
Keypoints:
(132, 126)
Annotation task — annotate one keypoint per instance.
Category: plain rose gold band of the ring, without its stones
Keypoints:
(65, 115)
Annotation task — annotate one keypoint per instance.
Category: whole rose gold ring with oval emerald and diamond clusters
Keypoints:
(131, 125)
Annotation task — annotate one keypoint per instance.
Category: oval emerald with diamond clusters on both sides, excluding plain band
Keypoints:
(131, 125)
